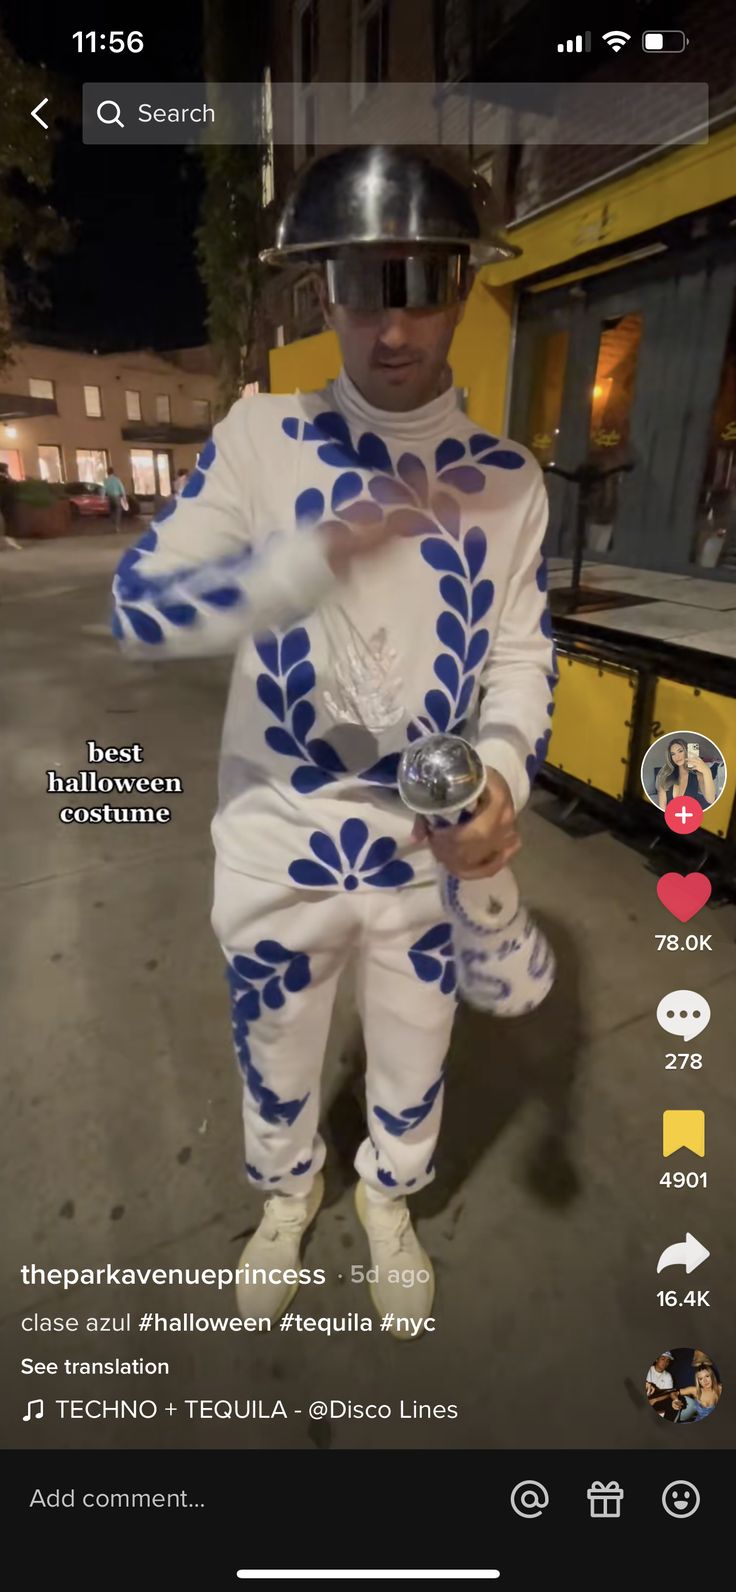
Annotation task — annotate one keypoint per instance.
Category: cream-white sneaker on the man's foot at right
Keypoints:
(396, 1254)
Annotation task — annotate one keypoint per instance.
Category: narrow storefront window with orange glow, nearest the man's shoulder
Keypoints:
(613, 402)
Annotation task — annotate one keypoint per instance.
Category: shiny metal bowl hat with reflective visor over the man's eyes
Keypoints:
(391, 224)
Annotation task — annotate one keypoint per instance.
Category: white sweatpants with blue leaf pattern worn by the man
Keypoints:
(286, 950)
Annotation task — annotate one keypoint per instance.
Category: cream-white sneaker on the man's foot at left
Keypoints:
(275, 1246)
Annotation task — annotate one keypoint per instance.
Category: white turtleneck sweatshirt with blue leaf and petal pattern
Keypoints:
(445, 628)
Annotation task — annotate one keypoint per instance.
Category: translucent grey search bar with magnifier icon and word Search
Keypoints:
(436, 114)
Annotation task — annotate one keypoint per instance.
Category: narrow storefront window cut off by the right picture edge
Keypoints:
(714, 542)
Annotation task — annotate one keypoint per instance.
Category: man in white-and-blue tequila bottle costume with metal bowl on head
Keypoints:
(374, 560)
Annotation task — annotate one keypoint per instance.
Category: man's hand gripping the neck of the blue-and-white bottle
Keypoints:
(483, 846)
